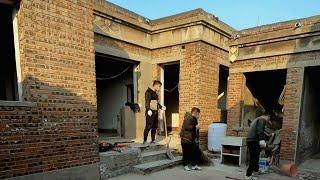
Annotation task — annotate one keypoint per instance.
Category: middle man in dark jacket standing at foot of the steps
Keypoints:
(190, 140)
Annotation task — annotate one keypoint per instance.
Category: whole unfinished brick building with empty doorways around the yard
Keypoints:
(60, 82)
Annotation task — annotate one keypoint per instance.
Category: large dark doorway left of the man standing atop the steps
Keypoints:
(114, 84)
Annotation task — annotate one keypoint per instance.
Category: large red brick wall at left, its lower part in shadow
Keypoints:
(57, 62)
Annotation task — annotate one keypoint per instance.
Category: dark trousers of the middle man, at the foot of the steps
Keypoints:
(190, 154)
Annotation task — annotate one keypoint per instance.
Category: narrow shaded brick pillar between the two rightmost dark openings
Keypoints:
(291, 113)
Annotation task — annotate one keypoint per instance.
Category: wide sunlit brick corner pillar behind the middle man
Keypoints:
(199, 80)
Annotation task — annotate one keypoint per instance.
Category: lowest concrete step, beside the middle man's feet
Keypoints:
(147, 168)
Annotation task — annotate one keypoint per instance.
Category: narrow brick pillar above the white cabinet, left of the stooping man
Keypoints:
(234, 101)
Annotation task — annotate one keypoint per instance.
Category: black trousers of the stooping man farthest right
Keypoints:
(254, 151)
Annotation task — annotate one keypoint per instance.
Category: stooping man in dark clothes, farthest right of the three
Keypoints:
(255, 141)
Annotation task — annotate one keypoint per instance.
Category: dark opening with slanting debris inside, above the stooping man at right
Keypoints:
(262, 94)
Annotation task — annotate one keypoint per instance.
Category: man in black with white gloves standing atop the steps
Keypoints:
(152, 108)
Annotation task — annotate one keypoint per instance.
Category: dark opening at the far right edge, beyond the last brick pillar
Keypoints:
(309, 129)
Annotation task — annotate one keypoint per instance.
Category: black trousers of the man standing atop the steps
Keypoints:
(151, 124)
